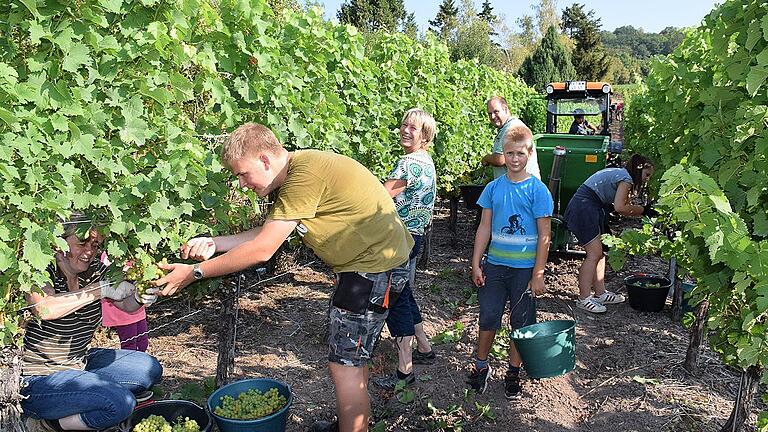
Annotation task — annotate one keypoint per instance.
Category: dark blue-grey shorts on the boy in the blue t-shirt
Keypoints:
(506, 285)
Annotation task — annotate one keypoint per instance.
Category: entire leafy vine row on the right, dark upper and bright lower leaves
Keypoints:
(706, 106)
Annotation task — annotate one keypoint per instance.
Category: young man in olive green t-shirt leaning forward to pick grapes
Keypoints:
(346, 216)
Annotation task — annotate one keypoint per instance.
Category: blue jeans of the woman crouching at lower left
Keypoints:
(103, 393)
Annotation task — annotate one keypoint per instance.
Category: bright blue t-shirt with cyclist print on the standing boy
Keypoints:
(515, 207)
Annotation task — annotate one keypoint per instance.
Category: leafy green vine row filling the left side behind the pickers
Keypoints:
(108, 106)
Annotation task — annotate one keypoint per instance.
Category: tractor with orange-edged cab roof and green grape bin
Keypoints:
(566, 159)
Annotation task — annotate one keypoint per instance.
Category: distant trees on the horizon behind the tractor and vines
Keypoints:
(545, 45)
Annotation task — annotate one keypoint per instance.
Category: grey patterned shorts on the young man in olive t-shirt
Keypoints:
(359, 307)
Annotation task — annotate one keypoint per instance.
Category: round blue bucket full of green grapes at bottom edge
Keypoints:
(251, 405)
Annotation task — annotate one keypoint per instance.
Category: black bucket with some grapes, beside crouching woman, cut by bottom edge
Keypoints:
(189, 416)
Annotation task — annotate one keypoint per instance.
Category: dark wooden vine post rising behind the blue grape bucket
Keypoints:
(229, 295)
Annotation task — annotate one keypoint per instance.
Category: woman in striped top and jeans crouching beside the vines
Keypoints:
(66, 385)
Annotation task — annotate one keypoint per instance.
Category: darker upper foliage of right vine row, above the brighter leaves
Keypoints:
(707, 103)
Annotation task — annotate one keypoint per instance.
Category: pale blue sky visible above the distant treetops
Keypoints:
(650, 15)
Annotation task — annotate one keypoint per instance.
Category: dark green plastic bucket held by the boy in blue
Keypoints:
(548, 348)
